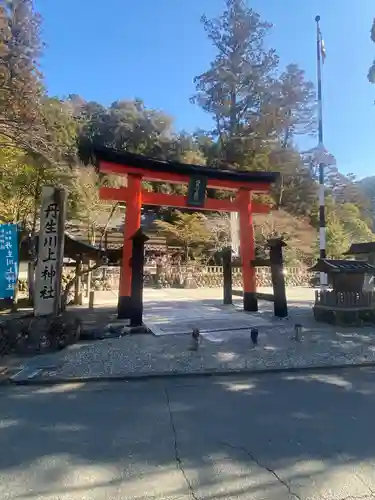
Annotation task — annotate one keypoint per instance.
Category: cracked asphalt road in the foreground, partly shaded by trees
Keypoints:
(269, 438)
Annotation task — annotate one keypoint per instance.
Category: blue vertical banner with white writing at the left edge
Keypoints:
(8, 260)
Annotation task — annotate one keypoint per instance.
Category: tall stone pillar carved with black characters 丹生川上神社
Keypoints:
(50, 252)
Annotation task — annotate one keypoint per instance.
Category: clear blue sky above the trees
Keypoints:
(152, 49)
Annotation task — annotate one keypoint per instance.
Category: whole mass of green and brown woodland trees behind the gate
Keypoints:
(259, 111)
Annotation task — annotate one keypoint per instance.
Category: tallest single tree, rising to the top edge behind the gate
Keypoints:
(237, 85)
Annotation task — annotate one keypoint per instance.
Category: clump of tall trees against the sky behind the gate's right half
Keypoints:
(255, 111)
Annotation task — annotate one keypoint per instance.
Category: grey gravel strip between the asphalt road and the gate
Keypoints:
(134, 355)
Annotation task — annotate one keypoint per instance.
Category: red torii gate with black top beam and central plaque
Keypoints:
(138, 168)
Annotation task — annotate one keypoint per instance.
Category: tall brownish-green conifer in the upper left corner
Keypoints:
(21, 90)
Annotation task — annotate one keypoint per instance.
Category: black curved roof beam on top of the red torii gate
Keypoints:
(152, 164)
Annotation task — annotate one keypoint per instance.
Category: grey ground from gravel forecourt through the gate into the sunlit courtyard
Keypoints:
(225, 345)
